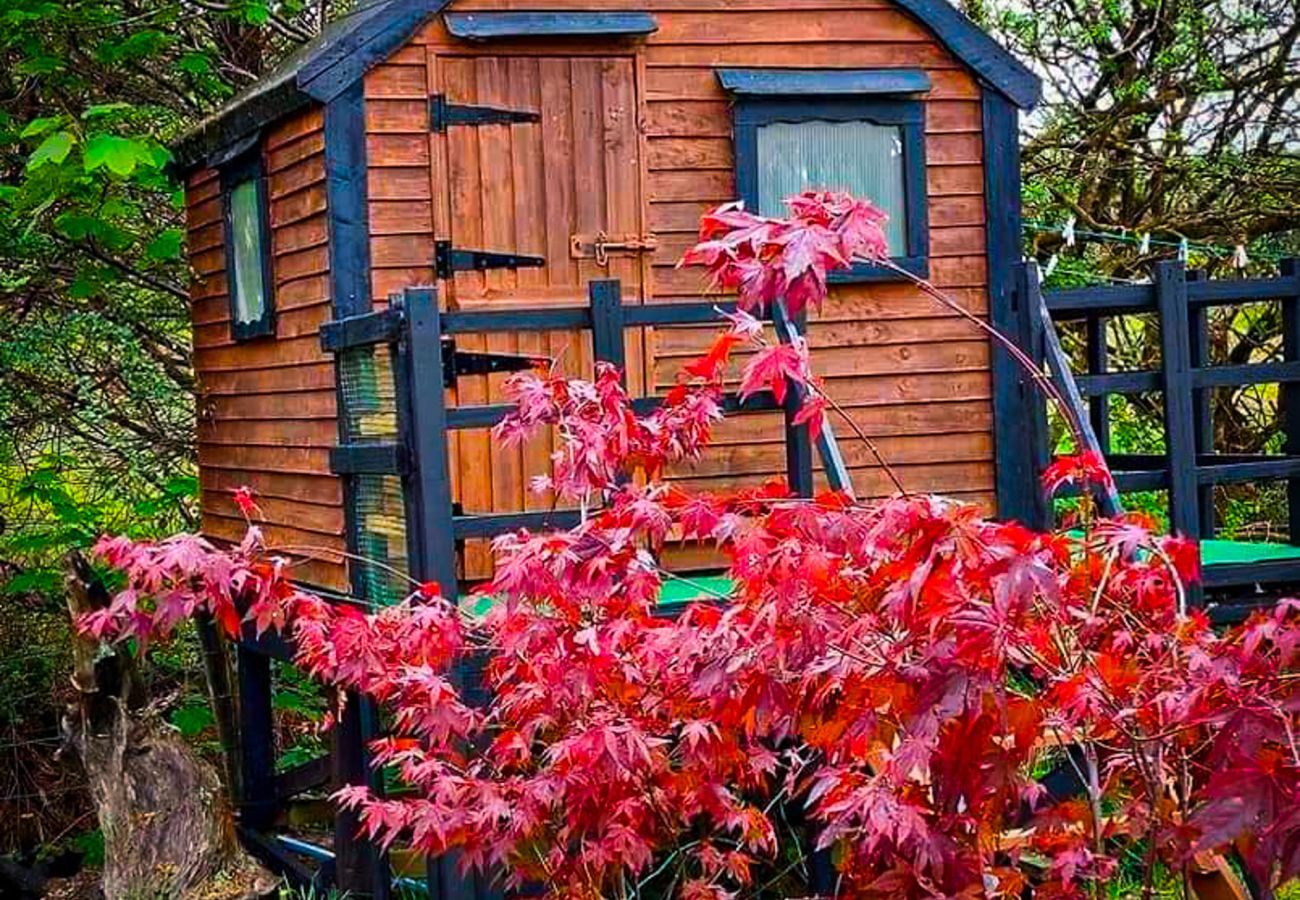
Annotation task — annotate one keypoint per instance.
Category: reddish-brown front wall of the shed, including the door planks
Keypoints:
(913, 375)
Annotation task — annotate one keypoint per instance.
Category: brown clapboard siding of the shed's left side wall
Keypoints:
(268, 412)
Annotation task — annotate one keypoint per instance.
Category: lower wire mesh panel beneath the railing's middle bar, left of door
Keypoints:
(379, 513)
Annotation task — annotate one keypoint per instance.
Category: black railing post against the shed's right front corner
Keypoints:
(1034, 404)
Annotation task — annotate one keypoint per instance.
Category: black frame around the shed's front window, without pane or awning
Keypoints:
(907, 114)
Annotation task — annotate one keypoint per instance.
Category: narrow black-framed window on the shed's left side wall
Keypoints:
(248, 249)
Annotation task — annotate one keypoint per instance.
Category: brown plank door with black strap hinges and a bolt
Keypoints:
(528, 188)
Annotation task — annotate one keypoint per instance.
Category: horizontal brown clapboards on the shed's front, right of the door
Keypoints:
(886, 349)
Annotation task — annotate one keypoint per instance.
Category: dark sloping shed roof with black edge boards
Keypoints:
(346, 49)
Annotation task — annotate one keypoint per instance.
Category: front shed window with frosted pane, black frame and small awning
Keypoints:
(872, 146)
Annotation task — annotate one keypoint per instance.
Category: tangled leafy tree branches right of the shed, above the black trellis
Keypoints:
(1176, 119)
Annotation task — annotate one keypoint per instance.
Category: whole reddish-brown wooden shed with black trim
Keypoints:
(510, 157)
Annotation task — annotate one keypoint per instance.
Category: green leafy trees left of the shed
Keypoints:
(96, 377)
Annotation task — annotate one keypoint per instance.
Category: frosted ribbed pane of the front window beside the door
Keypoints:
(861, 158)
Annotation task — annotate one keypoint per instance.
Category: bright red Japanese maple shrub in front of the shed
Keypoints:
(891, 673)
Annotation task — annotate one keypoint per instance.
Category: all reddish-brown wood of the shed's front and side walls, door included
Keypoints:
(642, 129)
